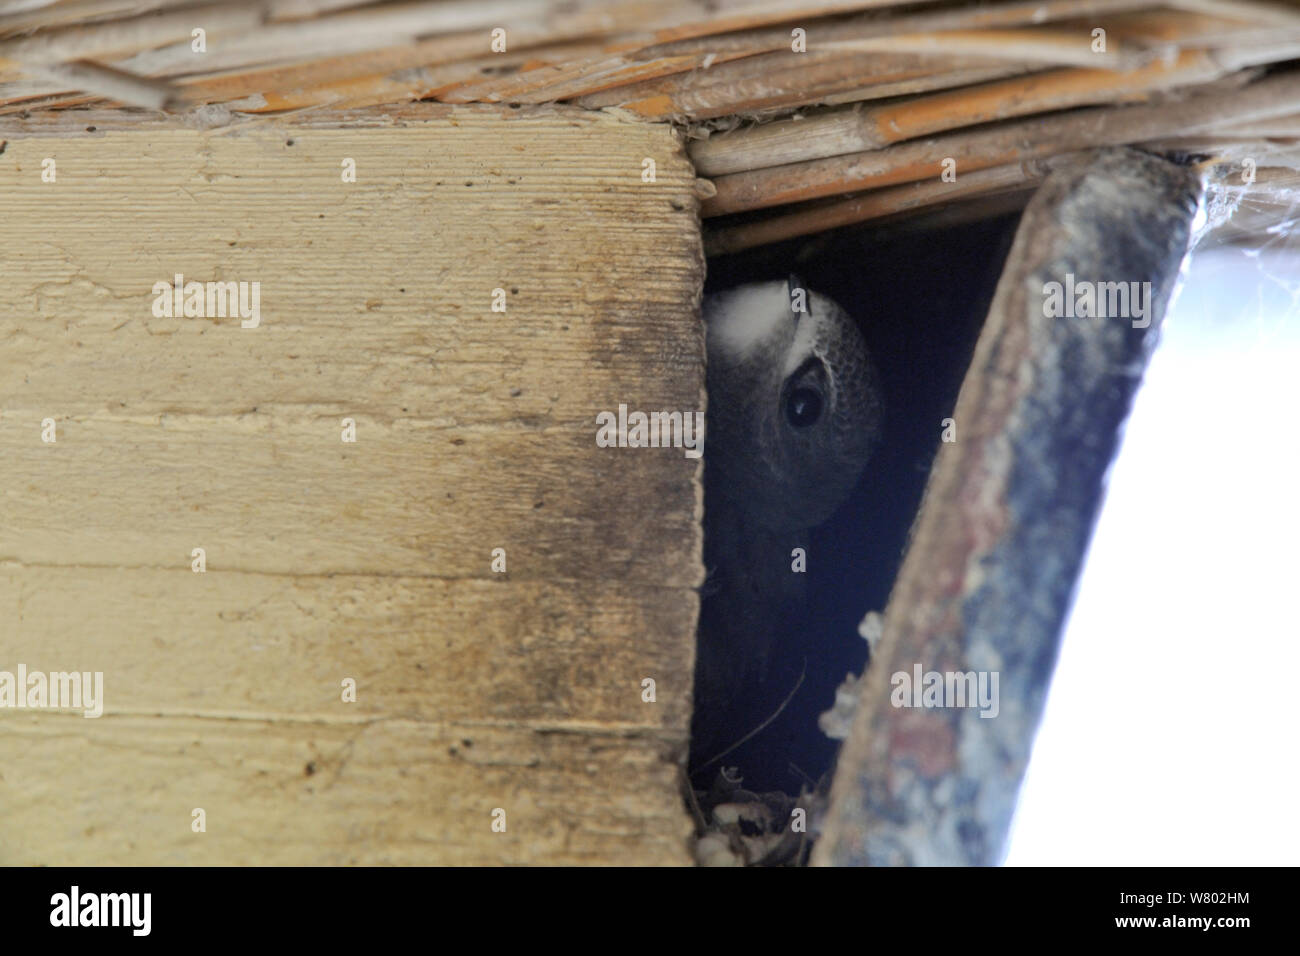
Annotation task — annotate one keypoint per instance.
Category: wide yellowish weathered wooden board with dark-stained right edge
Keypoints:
(330, 560)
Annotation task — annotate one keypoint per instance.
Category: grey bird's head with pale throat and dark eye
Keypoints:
(794, 403)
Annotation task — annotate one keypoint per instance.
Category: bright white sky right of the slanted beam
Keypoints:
(1173, 726)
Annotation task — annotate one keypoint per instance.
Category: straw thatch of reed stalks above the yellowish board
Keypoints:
(805, 115)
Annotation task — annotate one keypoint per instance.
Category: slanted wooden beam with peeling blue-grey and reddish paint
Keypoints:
(1006, 522)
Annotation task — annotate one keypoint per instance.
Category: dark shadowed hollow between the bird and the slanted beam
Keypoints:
(920, 297)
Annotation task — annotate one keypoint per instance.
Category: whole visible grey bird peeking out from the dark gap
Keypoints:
(794, 417)
